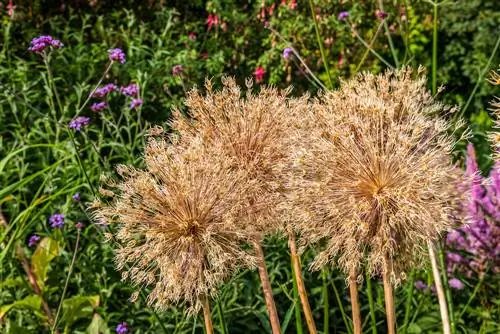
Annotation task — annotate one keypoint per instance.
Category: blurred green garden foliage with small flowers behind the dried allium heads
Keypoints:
(48, 171)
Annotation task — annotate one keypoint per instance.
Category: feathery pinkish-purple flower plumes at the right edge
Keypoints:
(475, 246)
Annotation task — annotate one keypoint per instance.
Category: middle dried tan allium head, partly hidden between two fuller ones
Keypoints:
(250, 130)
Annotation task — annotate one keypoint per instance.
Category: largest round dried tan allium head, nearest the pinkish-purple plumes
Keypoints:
(374, 176)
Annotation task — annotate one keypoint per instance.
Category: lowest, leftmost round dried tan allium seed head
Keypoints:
(177, 224)
